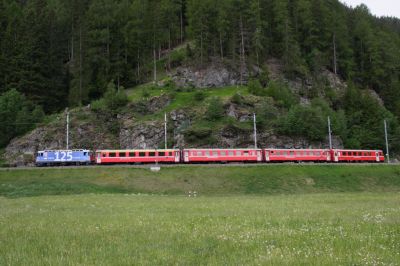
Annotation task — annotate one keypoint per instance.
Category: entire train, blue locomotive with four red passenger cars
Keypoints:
(205, 155)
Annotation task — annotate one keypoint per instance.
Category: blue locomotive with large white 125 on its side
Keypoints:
(63, 157)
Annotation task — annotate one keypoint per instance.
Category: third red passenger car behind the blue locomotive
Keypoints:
(297, 155)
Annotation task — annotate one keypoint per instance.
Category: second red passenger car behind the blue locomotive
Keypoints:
(222, 155)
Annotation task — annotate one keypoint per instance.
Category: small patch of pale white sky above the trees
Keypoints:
(378, 7)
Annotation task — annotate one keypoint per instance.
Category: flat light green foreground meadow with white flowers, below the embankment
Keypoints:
(131, 229)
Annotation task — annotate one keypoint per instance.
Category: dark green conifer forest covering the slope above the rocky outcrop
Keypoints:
(57, 54)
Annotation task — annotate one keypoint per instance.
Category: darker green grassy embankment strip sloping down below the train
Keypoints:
(205, 180)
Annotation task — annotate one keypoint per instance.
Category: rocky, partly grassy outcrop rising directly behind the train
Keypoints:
(185, 96)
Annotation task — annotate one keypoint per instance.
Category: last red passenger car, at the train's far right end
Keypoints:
(357, 156)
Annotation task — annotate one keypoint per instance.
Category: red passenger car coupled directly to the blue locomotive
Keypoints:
(137, 156)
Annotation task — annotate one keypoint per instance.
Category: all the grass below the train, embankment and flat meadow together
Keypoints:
(253, 215)
